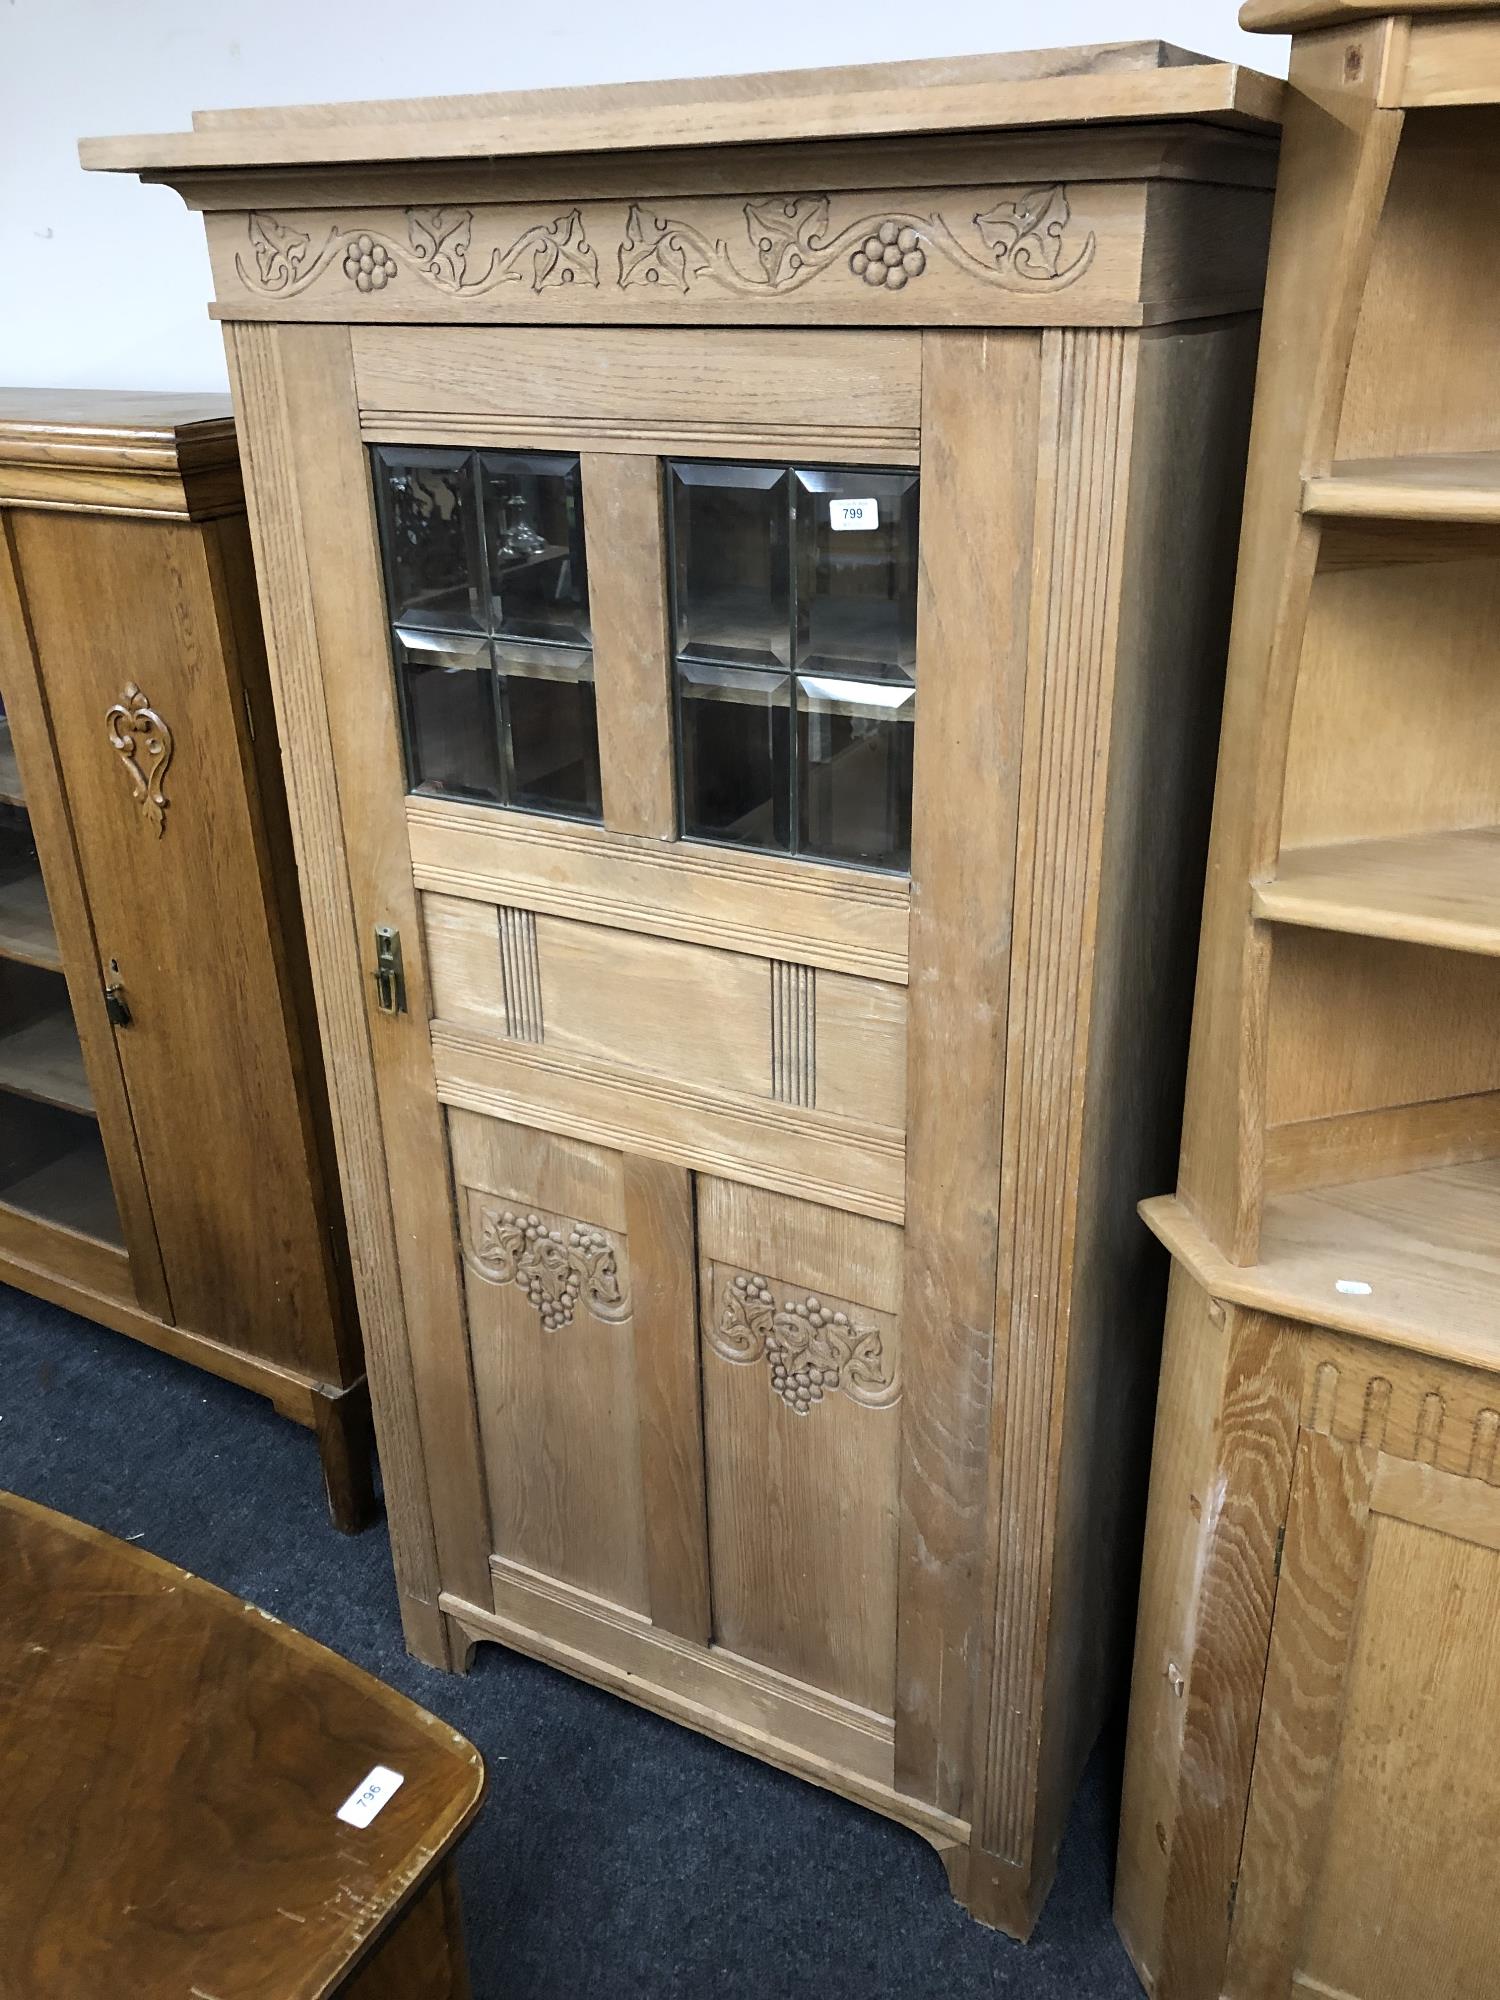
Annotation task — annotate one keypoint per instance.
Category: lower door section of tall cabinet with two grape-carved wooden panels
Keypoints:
(741, 1453)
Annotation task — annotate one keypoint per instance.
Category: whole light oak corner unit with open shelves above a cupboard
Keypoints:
(1309, 1809)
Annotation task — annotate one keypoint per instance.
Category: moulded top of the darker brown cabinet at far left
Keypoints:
(131, 425)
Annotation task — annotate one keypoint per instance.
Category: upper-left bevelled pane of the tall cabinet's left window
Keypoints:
(429, 537)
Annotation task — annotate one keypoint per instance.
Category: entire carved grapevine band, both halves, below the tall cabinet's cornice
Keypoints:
(1023, 243)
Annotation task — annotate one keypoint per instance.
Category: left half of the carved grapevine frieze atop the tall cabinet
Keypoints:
(437, 249)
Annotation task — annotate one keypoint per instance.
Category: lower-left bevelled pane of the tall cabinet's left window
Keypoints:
(453, 725)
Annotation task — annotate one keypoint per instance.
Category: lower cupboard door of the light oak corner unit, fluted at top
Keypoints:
(1369, 1853)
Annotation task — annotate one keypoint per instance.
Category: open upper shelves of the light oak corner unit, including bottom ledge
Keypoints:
(1345, 1051)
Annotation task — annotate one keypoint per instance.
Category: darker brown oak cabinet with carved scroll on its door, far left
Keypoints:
(165, 1149)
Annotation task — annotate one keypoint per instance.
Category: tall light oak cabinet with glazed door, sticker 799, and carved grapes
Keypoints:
(747, 579)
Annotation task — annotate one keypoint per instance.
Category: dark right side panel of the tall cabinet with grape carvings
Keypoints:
(1187, 469)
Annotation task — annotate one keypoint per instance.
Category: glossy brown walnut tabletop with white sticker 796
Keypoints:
(173, 1771)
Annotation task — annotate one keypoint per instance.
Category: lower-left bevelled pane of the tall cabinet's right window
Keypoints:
(737, 755)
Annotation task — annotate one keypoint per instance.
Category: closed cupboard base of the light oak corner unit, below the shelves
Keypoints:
(1355, 1863)
